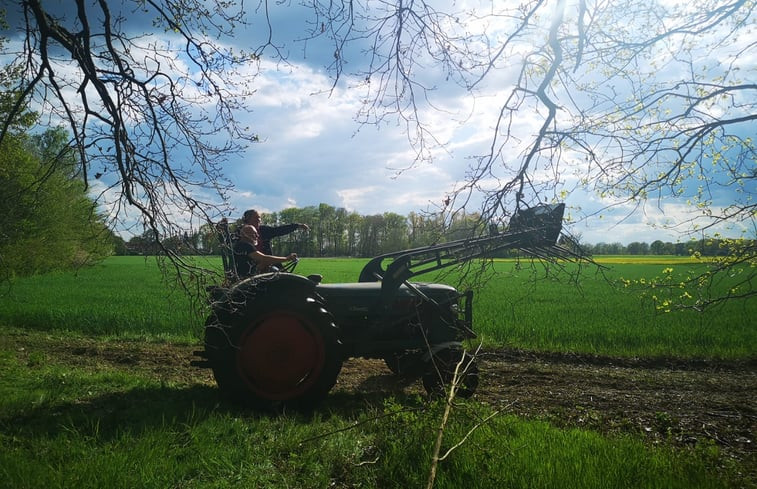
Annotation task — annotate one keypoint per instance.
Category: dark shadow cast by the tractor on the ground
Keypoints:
(142, 409)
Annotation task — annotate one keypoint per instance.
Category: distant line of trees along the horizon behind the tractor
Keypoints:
(337, 232)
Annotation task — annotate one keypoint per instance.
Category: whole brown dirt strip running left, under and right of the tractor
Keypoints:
(683, 403)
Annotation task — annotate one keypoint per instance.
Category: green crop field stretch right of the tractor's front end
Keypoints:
(598, 315)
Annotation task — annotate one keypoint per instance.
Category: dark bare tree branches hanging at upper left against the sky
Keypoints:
(136, 107)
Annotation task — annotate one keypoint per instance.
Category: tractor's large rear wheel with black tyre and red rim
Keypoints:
(281, 352)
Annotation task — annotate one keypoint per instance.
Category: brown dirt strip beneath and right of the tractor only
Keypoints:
(683, 403)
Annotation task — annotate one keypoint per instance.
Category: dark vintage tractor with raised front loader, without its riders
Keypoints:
(278, 340)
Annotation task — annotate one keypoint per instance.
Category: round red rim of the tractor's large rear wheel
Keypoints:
(281, 356)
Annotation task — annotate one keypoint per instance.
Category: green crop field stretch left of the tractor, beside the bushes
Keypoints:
(124, 296)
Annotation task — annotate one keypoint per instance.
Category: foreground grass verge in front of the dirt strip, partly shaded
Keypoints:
(63, 426)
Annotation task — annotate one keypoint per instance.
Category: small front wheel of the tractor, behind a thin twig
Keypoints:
(440, 373)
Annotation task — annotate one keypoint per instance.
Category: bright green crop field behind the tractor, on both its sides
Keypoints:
(127, 297)
